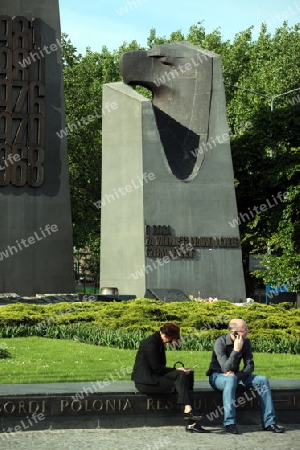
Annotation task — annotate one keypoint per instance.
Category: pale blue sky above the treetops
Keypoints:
(94, 23)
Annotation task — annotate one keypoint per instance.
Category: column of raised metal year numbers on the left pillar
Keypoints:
(22, 103)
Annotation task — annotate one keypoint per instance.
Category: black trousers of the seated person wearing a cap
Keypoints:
(171, 382)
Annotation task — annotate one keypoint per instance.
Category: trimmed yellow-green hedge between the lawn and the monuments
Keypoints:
(274, 328)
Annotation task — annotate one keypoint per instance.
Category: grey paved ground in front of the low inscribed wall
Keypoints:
(161, 438)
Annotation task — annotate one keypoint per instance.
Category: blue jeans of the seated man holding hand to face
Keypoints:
(261, 389)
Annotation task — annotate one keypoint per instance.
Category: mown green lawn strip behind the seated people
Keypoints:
(41, 360)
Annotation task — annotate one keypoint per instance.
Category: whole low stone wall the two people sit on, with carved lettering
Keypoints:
(107, 404)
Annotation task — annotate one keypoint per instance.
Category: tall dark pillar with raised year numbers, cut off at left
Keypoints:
(35, 225)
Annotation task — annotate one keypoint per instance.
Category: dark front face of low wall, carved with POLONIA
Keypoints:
(132, 403)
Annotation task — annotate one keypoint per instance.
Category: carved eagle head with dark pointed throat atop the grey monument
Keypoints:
(180, 79)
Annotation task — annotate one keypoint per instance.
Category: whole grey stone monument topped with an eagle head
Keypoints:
(168, 196)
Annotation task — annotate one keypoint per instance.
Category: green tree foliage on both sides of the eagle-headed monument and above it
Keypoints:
(265, 141)
